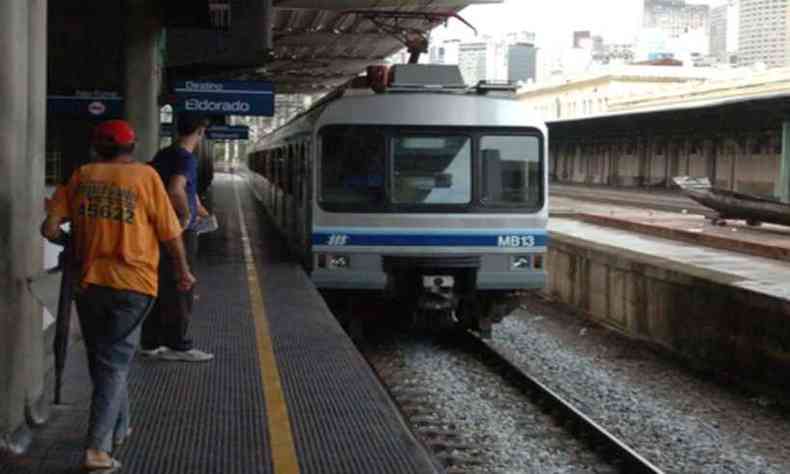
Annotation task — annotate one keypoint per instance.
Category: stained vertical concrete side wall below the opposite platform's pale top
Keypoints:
(705, 322)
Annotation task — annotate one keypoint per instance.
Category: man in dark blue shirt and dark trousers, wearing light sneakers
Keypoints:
(165, 332)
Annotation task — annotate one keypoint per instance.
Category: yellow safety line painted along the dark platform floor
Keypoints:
(279, 424)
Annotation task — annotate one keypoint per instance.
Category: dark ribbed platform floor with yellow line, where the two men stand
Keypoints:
(287, 392)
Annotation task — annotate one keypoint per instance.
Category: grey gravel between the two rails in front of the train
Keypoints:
(502, 431)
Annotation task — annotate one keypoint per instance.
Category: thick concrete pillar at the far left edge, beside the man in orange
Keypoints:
(23, 25)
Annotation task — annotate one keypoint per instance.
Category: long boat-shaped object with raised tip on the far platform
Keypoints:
(731, 205)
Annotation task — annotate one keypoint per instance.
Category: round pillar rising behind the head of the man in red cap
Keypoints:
(143, 74)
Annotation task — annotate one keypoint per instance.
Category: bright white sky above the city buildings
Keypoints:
(553, 20)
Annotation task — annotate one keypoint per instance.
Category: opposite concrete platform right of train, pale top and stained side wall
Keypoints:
(715, 308)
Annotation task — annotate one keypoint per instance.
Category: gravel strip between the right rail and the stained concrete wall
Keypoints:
(673, 417)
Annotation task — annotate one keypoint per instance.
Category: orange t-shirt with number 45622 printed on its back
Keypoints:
(120, 212)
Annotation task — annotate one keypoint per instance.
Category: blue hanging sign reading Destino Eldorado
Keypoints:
(249, 98)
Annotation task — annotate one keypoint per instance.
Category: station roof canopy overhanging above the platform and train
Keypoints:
(316, 44)
